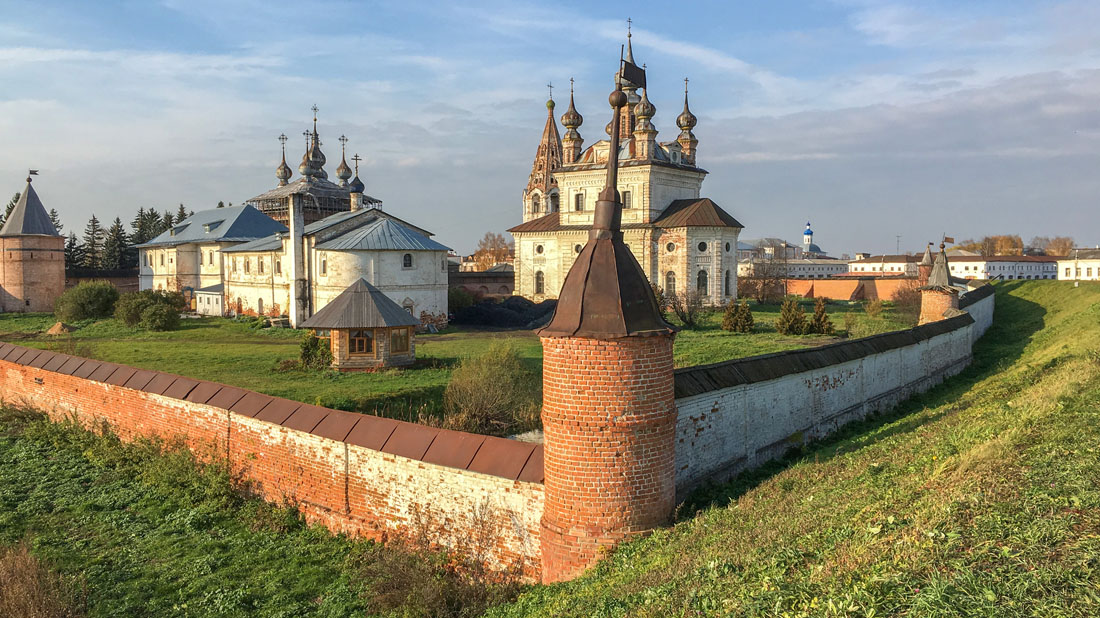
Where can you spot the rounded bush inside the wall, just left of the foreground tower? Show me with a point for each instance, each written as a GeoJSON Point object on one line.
{"type": "Point", "coordinates": [494, 394]}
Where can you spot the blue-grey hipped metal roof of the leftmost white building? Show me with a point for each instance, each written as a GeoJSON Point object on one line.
{"type": "Point", "coordinates": [238, 224]}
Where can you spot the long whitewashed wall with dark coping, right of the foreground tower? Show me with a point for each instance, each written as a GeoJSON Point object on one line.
{"type": "Point", "coordinates": [741, 414]}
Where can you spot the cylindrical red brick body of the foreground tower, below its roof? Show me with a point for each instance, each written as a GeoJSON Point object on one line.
{"type": "Point", "coordinates": [610, 421]}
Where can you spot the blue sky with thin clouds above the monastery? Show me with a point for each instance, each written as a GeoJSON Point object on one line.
{"type": "Point", "coordinates": [872, 119]}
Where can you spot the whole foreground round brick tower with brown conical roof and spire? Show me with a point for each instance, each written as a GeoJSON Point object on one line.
{"type": "Point", "coordinates": [609, 412]}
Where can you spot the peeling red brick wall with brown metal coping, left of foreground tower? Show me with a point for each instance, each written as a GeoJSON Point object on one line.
{"type": "Point", "coordinates": [355, 473]}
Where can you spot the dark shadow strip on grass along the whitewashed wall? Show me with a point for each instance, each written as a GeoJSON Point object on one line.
{"type": "Point", "coordinates": [1016, 322]}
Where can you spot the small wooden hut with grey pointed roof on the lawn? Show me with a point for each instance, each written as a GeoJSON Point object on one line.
{"type": "Point", "coordinates": [366, 329]}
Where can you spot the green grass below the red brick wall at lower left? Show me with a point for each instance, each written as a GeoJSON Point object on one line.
{"type": "Point", "coordinates": [148, 532]}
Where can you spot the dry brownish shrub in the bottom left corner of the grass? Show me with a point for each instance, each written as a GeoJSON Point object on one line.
{"type": "Point", "coordinates": [30, 589]}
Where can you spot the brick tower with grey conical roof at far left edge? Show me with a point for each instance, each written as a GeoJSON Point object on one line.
{"type": "Point", "coordinates": [32, 257]}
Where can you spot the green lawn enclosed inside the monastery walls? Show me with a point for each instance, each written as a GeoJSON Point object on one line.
{"type": "Point", "coordinates": [230, 352]}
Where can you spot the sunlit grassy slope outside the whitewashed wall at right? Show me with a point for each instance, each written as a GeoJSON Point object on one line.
{"type": "Point", "coordinates": [981, 499]}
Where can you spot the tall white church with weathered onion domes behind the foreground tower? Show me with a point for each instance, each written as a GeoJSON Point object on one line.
{"type": "Point", "coordinates": [685, 242]}
